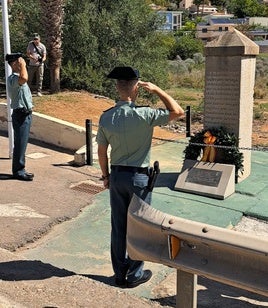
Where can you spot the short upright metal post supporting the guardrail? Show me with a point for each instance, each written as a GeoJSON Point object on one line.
{"type": "Point", "coordinates": [186, 290]}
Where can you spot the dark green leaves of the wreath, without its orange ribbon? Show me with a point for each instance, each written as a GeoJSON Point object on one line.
{"type": "Point", "coordinates": [231, 155]}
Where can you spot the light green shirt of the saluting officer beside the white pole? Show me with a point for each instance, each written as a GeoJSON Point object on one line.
{"type": "Point", "coordinates": [20, 95]}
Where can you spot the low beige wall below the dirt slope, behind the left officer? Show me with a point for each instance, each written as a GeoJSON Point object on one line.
{"type": "Point", "coordinates": [51, 130]}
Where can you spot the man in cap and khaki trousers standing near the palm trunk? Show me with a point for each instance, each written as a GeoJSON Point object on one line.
{"type": "Point", "coordinates": [37, 53]}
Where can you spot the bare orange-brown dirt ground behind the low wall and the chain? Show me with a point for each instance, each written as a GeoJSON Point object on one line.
{"type": "Point", "coordinates": [76, 107]}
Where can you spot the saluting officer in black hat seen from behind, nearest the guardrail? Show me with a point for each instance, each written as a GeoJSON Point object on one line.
{"type": "Point", "coordinates": [128, 129]}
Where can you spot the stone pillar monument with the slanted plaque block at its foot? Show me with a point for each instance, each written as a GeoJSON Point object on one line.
{"type": "Point", "coordinates": [229, 88]}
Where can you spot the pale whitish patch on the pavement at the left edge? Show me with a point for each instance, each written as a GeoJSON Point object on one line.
{"type": "Point", "coordinates": [18, 210]}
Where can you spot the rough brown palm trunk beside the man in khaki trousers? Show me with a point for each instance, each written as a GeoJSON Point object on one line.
{"type": "Point", "coordinates": [52, 21]}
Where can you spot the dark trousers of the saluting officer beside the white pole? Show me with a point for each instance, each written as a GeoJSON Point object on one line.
{"type": "Point", "coordinates": [21, 121]}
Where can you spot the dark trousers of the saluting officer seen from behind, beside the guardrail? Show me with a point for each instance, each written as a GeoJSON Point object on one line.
{"type": "Point", "coordinates": [124, 181]}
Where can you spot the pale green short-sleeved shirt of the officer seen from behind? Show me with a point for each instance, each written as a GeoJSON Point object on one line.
{"type": "Point", "coordinates": [129, 130]}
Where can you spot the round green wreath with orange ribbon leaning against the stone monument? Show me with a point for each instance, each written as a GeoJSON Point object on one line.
{"type": "Point", "coordinates": [204, 139]}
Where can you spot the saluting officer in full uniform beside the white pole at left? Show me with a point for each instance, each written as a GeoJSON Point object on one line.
{"type": "Point", "coordinates": [21, 103]}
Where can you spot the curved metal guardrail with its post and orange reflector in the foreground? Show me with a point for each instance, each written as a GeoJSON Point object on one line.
{"type": "Point", "coordinates": [195, 248]}
